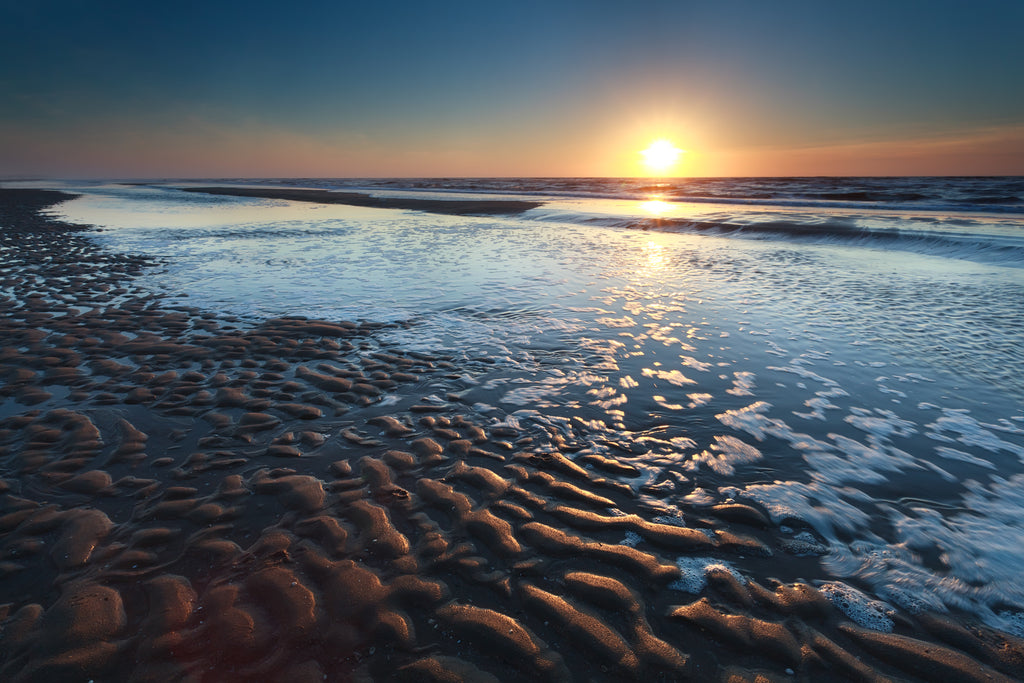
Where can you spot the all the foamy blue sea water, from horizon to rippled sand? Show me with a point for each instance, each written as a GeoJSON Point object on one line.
{"type": "Point", "coordinates": [844, 353]}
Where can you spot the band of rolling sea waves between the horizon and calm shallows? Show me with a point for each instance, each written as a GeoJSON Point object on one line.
{"type": "Point", "coordinates": [889, 214]}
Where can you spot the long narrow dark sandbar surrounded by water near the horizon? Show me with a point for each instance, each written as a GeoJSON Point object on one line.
{"type": "Point", "coordinates": [452, 207]}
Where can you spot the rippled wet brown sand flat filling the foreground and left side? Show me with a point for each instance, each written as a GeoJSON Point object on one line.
{"type": "Point", "coordinates": [187, 497]}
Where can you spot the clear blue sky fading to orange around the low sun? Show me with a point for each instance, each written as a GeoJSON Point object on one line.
{"type": "Point", "coordinates": [119, 90]}
